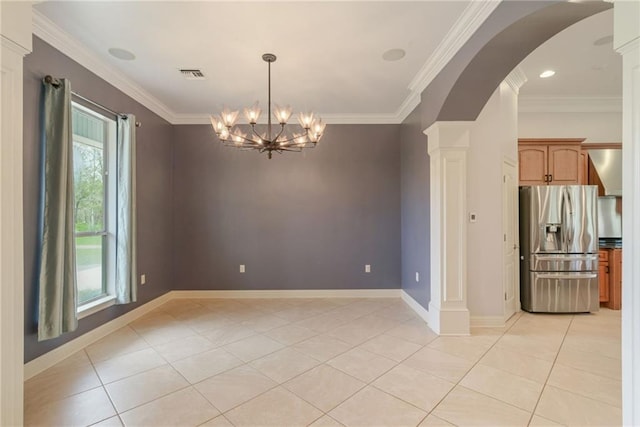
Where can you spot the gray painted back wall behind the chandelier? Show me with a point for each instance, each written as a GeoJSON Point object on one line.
{"type": "Point", "coordinates": [308, 220]}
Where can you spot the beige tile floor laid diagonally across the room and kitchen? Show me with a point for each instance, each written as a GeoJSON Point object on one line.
{"type": "Point", "coordinates": [333, 362]}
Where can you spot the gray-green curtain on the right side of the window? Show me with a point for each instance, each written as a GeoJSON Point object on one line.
{"type": "Point", "coordinates": [126, 251]}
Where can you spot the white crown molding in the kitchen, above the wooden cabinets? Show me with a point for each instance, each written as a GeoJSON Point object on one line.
{"type": "Point", "coordinates": [569, 105]}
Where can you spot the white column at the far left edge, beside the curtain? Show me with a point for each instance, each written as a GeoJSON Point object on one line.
{"type": "Point", "coordinates": [16, 42]}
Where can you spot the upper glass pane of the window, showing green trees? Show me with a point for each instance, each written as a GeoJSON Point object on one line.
{"type": "Point", "coordinates": [88, 176]}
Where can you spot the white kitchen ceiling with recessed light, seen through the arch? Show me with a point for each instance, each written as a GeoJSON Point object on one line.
{"type": "Point", "coordinates": [583, 70]}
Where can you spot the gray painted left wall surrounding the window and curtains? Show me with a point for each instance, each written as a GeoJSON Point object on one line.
{"type": "Point", "coordinates": [154, 151]}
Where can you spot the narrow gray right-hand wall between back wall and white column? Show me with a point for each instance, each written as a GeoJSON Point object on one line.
{"type": "Point", "coordinates": [416, 212]}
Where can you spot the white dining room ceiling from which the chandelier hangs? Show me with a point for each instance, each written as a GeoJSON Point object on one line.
{"type": "Point", "coordinates": [329, 53]}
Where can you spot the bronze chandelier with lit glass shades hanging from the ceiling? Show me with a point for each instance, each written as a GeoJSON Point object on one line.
{"type": "Point", "coordinates": [275, 137]}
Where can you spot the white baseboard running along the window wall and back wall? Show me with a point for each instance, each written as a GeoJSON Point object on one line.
{"type": "Point", "coordinates": [58, 354]}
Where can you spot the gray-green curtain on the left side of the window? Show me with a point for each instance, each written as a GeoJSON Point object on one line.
{"type": "Point", "coordinates": [57, 279]}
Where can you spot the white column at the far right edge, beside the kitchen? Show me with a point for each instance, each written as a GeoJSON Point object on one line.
{"type": "Point", "coordinates": [627, 43]}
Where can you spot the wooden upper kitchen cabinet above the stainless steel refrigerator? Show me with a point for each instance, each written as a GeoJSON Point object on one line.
{"type": "Point", "coordinates": [551, 161]}
